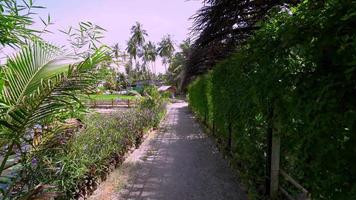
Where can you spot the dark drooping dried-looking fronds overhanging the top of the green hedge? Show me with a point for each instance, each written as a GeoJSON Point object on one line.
{"type": "Point", "coordinates": [220, 26]}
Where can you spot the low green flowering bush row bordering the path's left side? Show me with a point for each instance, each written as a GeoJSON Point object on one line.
{"type": "Point", "coordinates": [75, 163]}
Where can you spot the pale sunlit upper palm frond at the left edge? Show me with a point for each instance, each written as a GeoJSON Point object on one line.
{"type": "Point", "coordinates": [24, 72]}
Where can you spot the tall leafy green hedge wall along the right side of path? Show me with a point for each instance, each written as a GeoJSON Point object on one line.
{"type": "Point", "coordinates": [297, 71]}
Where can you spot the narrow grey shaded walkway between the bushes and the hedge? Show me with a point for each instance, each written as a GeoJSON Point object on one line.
{"type": "Point", "coordinates": [177, 163]}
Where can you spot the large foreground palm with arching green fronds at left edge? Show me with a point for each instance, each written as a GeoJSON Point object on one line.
{"type": "Point", "coordinates": [35, 84]}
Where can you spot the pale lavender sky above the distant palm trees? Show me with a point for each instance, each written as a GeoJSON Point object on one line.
{"type": "Point", "coordinates": [159, 17]}
